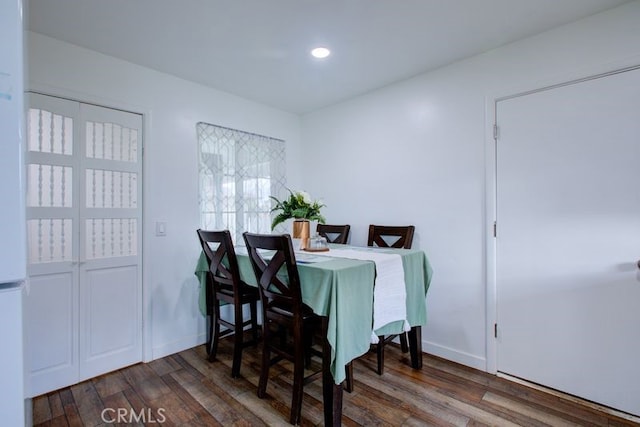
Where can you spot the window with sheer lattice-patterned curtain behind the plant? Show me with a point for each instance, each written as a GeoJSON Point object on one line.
{"type": "Point", "coordinates": [238, 171]}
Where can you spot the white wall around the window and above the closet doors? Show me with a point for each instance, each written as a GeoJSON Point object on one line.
{"type": "Point", "coordinates": [172, 107]}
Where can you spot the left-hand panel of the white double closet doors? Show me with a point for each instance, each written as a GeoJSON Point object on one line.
{"type": "Point", "coordinates": [51, 301]}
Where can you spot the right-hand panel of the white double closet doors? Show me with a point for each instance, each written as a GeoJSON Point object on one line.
{"type": "Point", "coordinates": [110, 240]}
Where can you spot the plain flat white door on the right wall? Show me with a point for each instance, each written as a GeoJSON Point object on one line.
{"type": "Point", "coordinates": [568, 239]}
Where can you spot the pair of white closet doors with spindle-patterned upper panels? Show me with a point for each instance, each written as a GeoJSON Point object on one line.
{"type": "Point", "coordinates": [83, 311]}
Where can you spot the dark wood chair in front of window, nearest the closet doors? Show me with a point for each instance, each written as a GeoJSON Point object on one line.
{"type": "Point", "coordinates": [224, 286]}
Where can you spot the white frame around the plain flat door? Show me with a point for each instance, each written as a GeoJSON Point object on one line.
{"type": "Point", "coordinates": [491, 181]}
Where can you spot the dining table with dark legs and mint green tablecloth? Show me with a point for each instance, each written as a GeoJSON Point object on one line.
{"type": "Point", "coordinates": [340, 289]}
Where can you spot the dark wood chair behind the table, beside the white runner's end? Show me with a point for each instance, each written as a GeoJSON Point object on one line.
{"type": "Point", "coordinates": [386, 236]}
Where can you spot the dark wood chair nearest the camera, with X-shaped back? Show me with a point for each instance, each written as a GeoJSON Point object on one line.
{"type": "Point", "coordinates": [283, 311]}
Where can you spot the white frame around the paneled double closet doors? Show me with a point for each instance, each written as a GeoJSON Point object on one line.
{"type": "Point", "coordinates": [146, 114]}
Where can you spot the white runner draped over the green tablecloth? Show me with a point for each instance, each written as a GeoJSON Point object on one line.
{"type": "Point", "coordinates": [389, 295]}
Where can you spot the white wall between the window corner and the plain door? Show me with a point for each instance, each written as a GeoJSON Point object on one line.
{"type": "Point", "coordinates": [416, 152]}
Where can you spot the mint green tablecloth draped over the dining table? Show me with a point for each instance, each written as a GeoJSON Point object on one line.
{"type": "Point", "coordinates": [342, 290]}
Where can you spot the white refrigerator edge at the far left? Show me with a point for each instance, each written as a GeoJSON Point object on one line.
{"type": "Point", "coordinates": [12, 214]}
